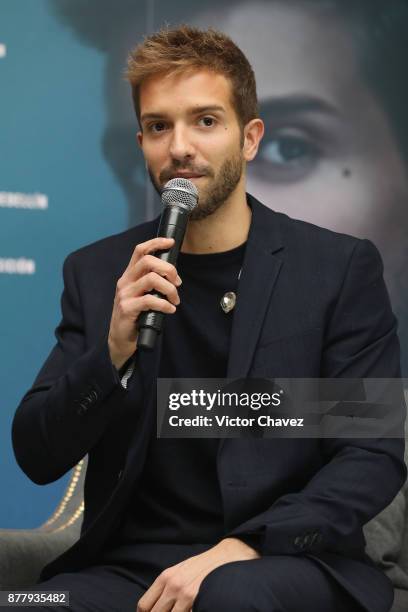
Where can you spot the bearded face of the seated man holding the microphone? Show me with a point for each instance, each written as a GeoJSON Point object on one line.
{"type": "Point", "coordinates": [190, 130]}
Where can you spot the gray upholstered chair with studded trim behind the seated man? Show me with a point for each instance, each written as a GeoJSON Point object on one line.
{"type": "Point", "coordinates": [24, 552]}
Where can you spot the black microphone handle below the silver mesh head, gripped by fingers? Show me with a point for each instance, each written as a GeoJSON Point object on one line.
{"type": "Point", "coordinates": [173, 223]}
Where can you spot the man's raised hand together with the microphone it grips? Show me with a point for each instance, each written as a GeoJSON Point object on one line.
{"type": "Point", "coordinates": [148, 288]}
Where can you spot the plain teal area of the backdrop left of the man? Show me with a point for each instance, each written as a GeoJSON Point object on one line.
{"type": "Point", "coordinates": [54, 125]}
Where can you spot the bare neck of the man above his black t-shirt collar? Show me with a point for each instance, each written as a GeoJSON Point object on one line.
{"type": "Point", "coordinates": [224, 230]}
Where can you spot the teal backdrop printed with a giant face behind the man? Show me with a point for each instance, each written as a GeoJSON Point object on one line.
{"type": "Point", "coordinates": [71, 173]}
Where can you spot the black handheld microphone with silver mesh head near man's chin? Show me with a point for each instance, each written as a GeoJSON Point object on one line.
{"type": "Point", "coordinates": [179, 197]}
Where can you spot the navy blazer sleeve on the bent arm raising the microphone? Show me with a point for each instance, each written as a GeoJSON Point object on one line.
{"type": "Point", "coordinates": [72, 400]}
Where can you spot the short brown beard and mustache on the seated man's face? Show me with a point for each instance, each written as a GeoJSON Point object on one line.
{"type": "Point", "coordinates": [212, 197]}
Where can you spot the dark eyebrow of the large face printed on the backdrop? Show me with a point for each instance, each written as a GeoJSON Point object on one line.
{"type": "Point", "coordinates": [296, 104]}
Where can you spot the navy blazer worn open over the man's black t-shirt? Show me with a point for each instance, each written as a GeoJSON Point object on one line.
{"type": "Point", "coordinates": [312, 303]}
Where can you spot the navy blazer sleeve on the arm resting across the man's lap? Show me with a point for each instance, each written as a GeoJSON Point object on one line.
{"type": "Point", "coordinates": [360, 477]}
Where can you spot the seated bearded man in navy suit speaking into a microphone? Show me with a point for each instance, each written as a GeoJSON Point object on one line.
{"type": "Point", "coordinates": [199, 524]}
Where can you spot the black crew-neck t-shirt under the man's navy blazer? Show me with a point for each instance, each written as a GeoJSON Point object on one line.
{"type": "Point", "coordinates": [178, 499]}
